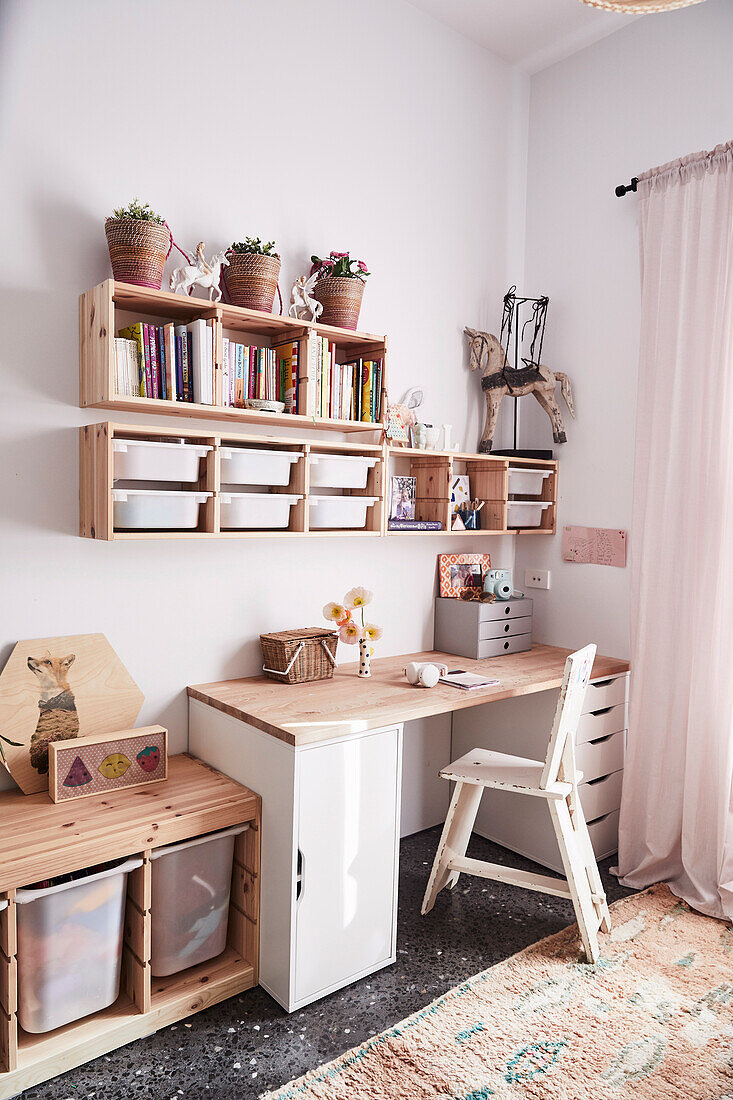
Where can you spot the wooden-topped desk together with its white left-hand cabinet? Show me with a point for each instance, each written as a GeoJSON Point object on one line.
{"type": "Point", "coordinates": [327, 760]}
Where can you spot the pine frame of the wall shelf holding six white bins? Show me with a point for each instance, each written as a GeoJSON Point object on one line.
{"type": "Point", "coordinates": [97, 481]}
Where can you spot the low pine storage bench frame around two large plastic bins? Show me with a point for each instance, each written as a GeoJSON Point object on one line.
{"type": "Point", "coordinates": [40, 840]}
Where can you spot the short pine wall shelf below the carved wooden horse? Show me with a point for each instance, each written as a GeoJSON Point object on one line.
{"type": "Point", "coordinates": [490, 480]}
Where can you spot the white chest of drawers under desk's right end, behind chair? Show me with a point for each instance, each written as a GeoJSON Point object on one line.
{"type": "Point", "coordinates": [521, 727]}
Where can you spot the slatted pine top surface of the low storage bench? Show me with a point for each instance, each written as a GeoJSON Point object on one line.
{"type": "Point", "coordinates": [41, 840]}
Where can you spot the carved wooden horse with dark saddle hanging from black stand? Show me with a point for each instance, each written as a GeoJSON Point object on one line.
{"type": "Point", "coordinates": [499, 380]}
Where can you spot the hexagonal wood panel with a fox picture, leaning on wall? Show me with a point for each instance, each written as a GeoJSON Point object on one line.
{"type": "Point", "coordinates": [56, 689]}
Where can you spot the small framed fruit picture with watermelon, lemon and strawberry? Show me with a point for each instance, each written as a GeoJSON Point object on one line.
{"type": "Point", "coordinates": [107, 763]}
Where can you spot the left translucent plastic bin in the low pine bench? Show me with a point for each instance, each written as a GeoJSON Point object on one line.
{"type": "Point", "coordinates": [70, 949]}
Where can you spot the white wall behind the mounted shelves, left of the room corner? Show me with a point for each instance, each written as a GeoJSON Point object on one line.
{"type": "Point", "coordinates": [335, 125]}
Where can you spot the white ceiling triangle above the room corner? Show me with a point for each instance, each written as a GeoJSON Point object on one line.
{"type": "Point", "coordinates": [531, 34]}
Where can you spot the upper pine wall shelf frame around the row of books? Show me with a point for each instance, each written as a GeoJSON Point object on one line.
{"type": "Point", "coordinates": [111, 306]}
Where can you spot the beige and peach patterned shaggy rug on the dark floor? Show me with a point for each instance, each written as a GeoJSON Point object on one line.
{"type": "Point", "coordinates": [652, 1020]}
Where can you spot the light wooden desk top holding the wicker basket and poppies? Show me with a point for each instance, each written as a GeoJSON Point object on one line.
{"type": "Point", "coordinates": [304, 714]}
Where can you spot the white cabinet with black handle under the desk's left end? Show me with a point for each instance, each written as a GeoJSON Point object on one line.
{"type": "Point", "coordinates": [331, 829]}
